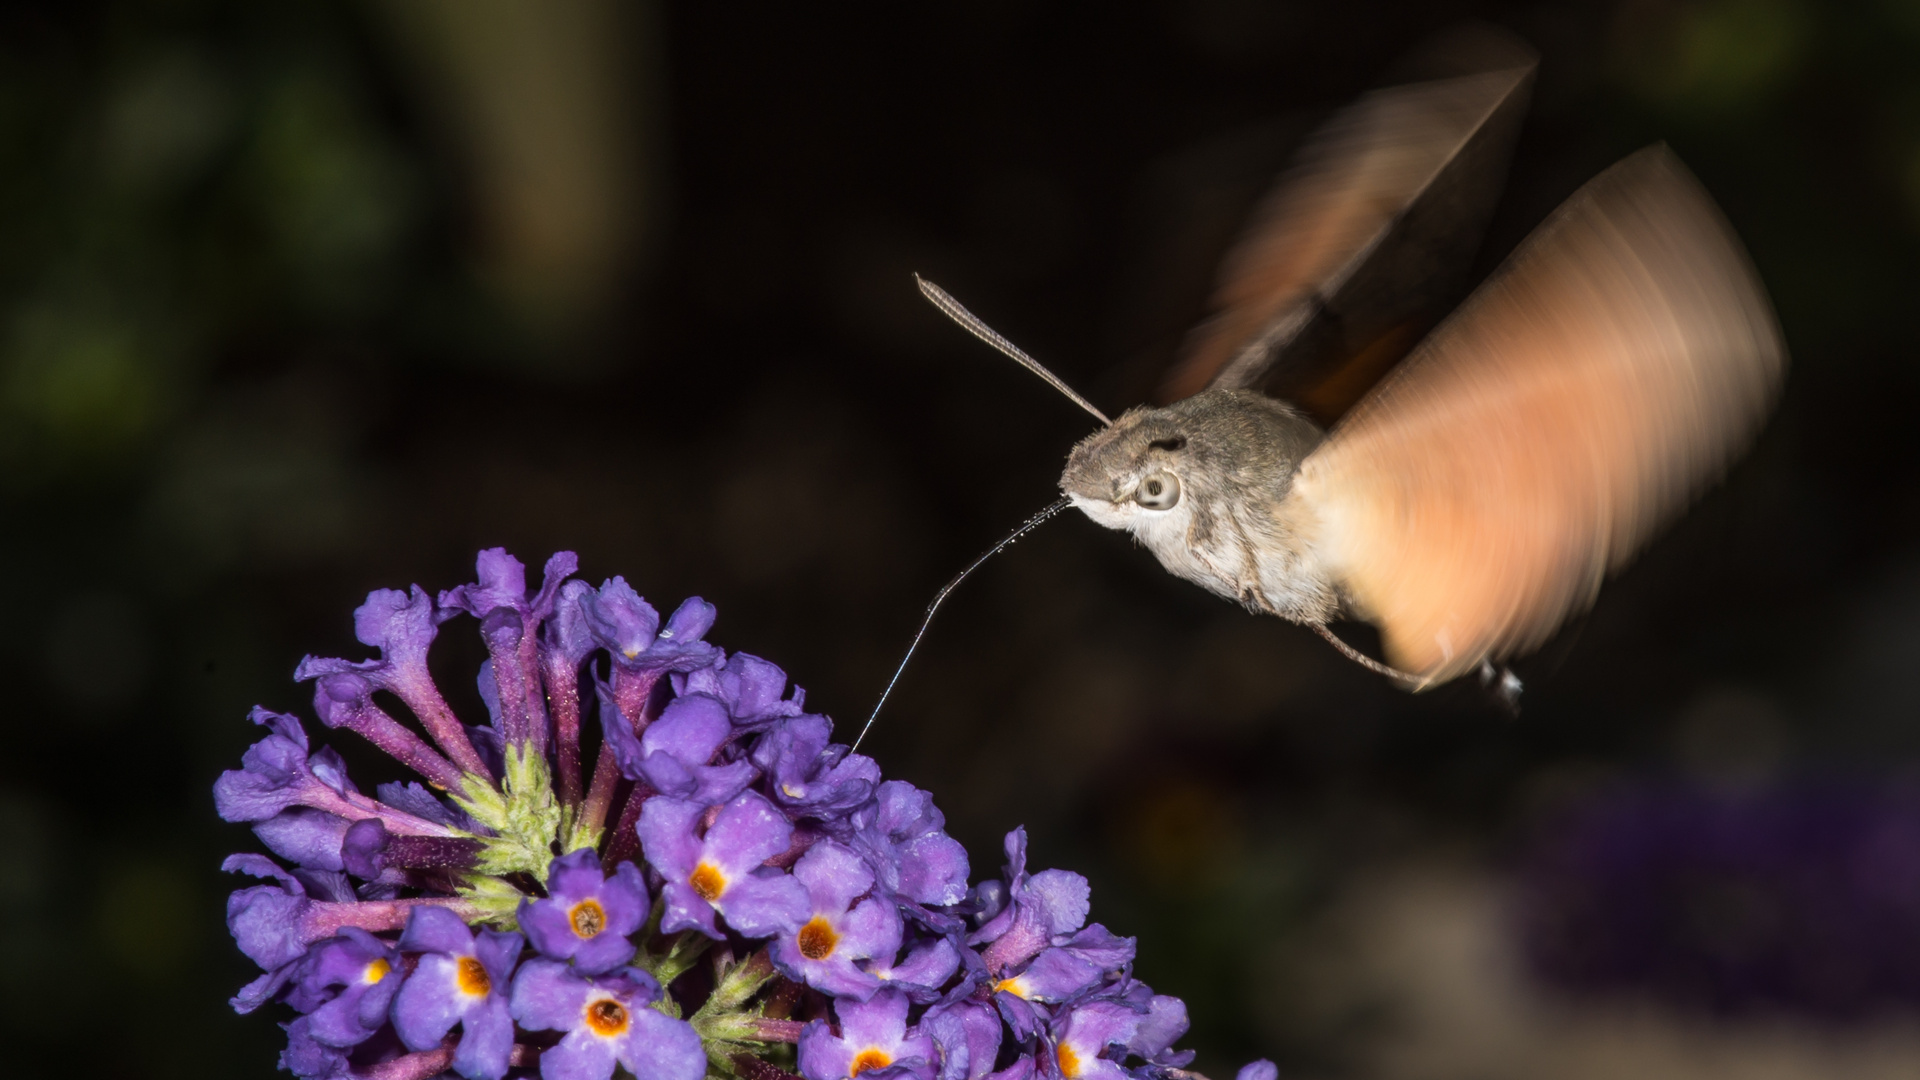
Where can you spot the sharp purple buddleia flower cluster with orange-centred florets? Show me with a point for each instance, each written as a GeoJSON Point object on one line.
{"type": "Point", "coordinates": [723, 893]}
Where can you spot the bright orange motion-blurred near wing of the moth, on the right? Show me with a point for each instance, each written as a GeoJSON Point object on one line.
{"type": "Point", "coordinates": [1610, 370]}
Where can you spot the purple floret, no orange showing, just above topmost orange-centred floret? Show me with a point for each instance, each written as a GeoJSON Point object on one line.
{"type": "Point", "coordinates": [677, 750]}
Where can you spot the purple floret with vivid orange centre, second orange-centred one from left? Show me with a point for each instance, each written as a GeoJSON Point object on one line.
{"type": "Point", "coordinates": [462, 979]}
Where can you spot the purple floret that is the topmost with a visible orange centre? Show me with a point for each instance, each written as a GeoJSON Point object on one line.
{"type": "Point", "coordinates": [723, 871]}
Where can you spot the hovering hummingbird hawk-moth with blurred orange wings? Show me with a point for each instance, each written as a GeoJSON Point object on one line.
{"type": "Point", "coordinates": [1477, 495]}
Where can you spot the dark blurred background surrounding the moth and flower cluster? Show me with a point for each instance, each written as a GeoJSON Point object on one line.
{"type": "Point", "coordinates": [300, 301]}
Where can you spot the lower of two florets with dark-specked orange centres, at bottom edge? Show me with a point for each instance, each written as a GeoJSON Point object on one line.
{"type": "Point", "coordinates": [606, 1019]}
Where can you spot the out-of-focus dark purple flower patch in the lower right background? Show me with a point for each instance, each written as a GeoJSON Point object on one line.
{"type": "Point", "coordinates": [1800, 895]}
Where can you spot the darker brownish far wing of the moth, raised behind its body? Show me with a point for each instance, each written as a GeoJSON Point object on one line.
{"type": "Point", "coordinates": [1372, 228]}
